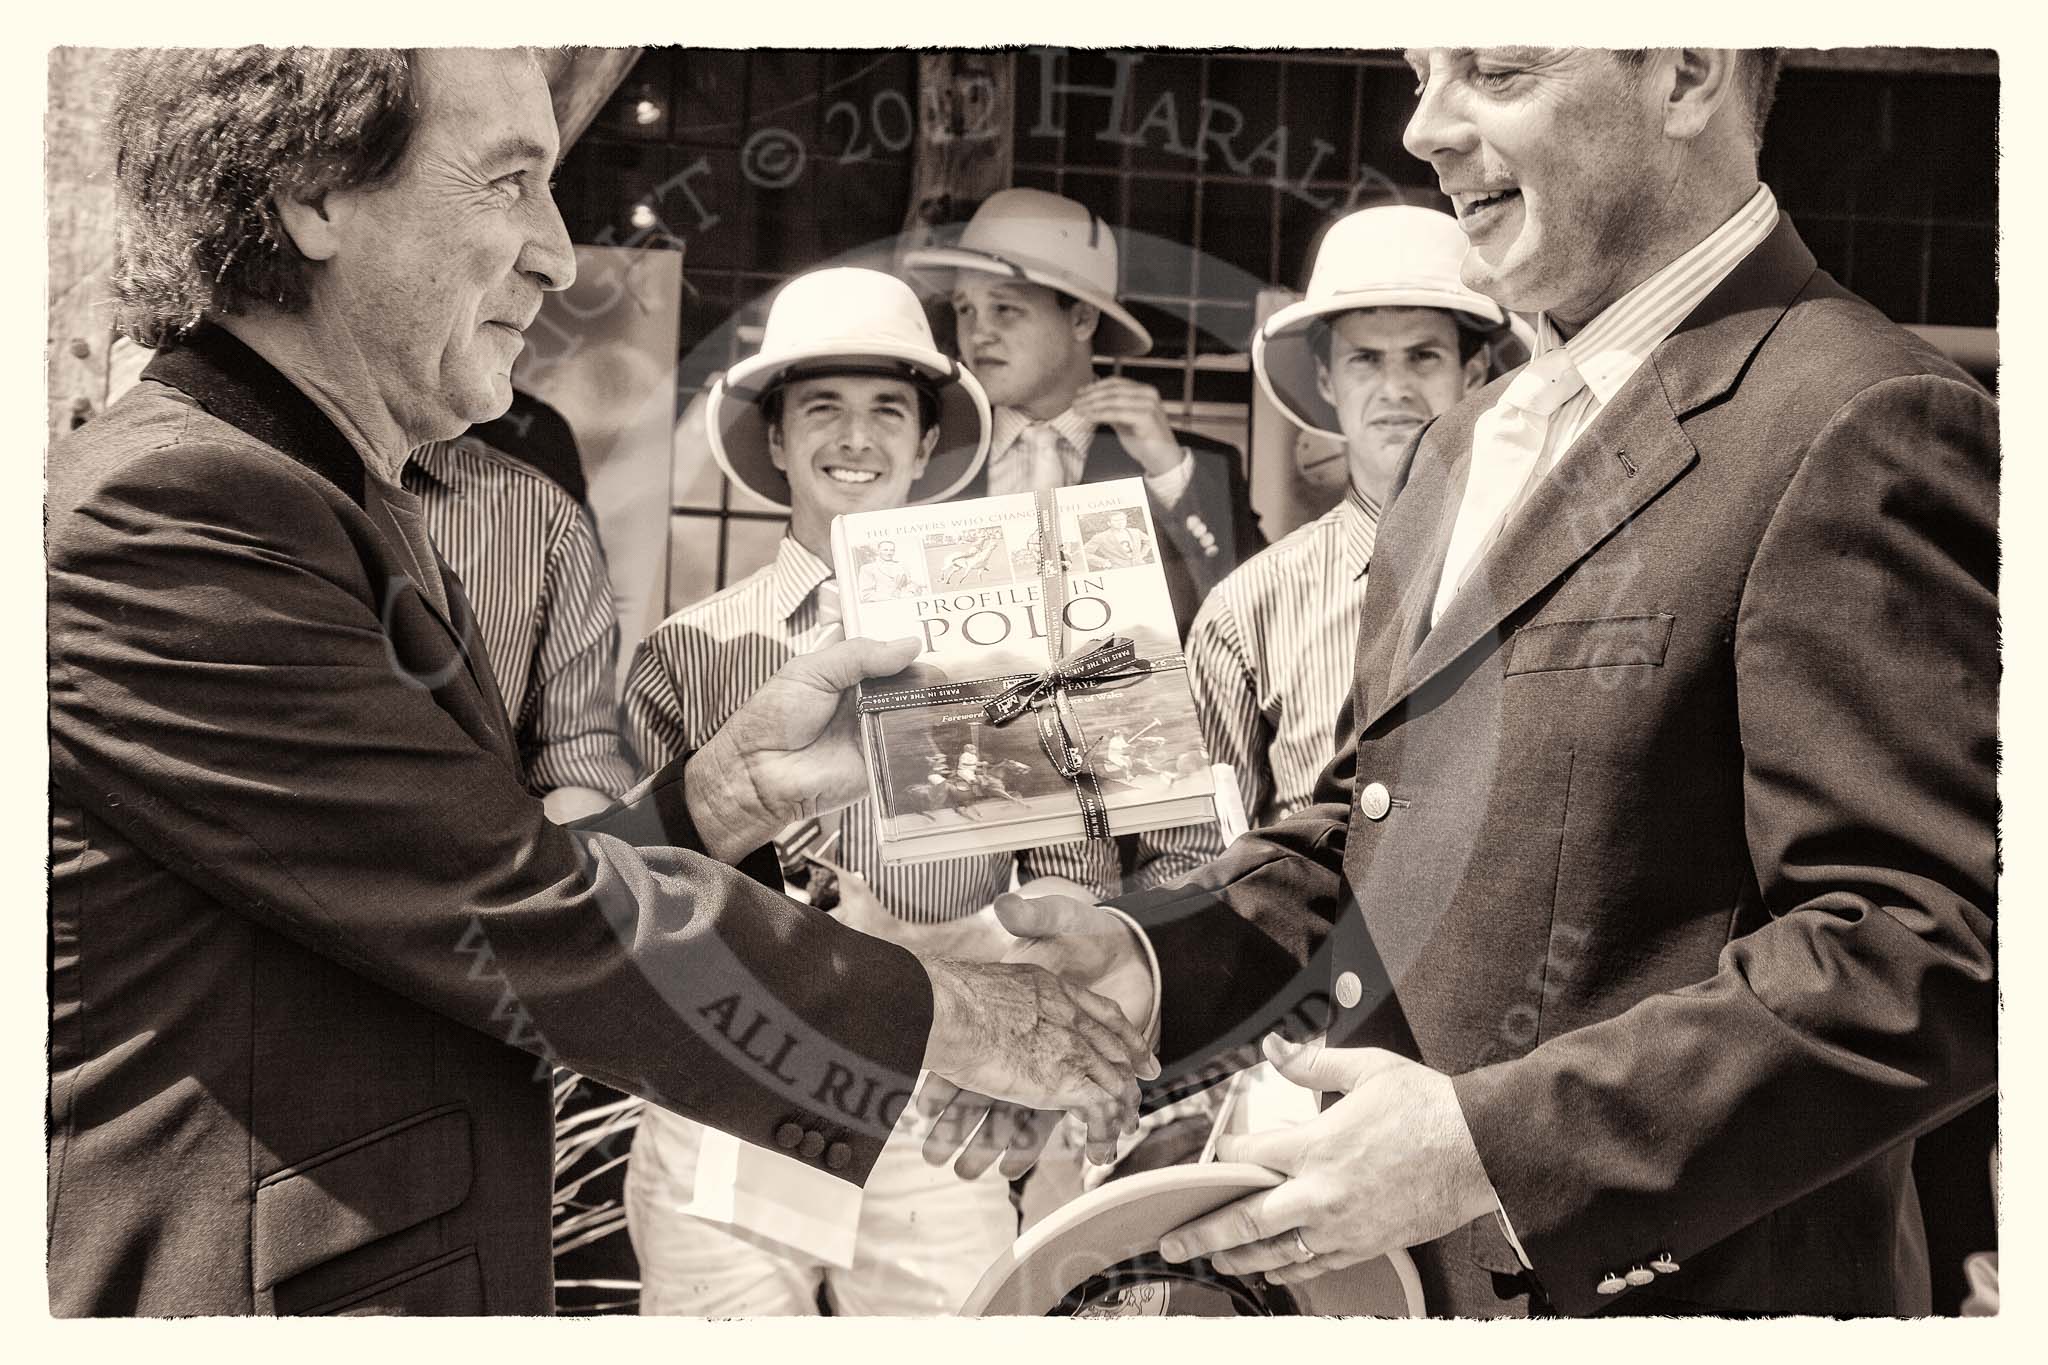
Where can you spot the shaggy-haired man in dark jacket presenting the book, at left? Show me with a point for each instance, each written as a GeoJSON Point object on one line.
{"type": "Point", "coordinates": [312, 946]}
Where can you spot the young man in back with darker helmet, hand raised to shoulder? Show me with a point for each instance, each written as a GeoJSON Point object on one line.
{"type": "Point", "coordinates": [1033, 288]}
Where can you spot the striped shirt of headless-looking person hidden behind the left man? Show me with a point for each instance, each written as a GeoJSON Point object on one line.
{"type": "Point", "coordinates": [531, 568]}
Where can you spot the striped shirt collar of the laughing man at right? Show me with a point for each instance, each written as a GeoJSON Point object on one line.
{"type": "Point", "coordinates": [1611, 349]}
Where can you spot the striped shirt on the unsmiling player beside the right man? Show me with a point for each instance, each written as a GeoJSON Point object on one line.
{"type": "Point", "coordinates": [1271, 664]}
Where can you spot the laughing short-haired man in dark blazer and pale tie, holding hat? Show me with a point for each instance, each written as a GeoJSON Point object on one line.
{"type": "Point", "coordinates": [1650, 899]}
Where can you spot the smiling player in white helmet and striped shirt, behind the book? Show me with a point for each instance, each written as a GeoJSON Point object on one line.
{"type": "Point", "coordinates": [847, 408]}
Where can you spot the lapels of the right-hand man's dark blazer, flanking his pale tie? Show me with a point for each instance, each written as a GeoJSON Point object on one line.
{"type": "Point", "coordinates": [1633, 453]}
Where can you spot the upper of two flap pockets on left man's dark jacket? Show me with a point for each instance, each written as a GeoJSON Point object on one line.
{"type": "Point", "coordinates": [359, 1192]}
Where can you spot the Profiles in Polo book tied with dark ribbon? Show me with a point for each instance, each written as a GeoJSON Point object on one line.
{"type": "Point", "coordinates": [972, 582]}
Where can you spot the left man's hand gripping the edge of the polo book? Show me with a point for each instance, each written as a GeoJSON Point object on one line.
{"type": "Point", "coordinates": [794, 750]}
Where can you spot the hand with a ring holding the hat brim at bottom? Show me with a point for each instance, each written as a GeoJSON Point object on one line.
{"type": "Point", "coordinates": [1385, 1168]}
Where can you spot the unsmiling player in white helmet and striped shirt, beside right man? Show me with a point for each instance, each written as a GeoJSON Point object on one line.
{"type": "Point", "coordinates": [1385, 339]}
